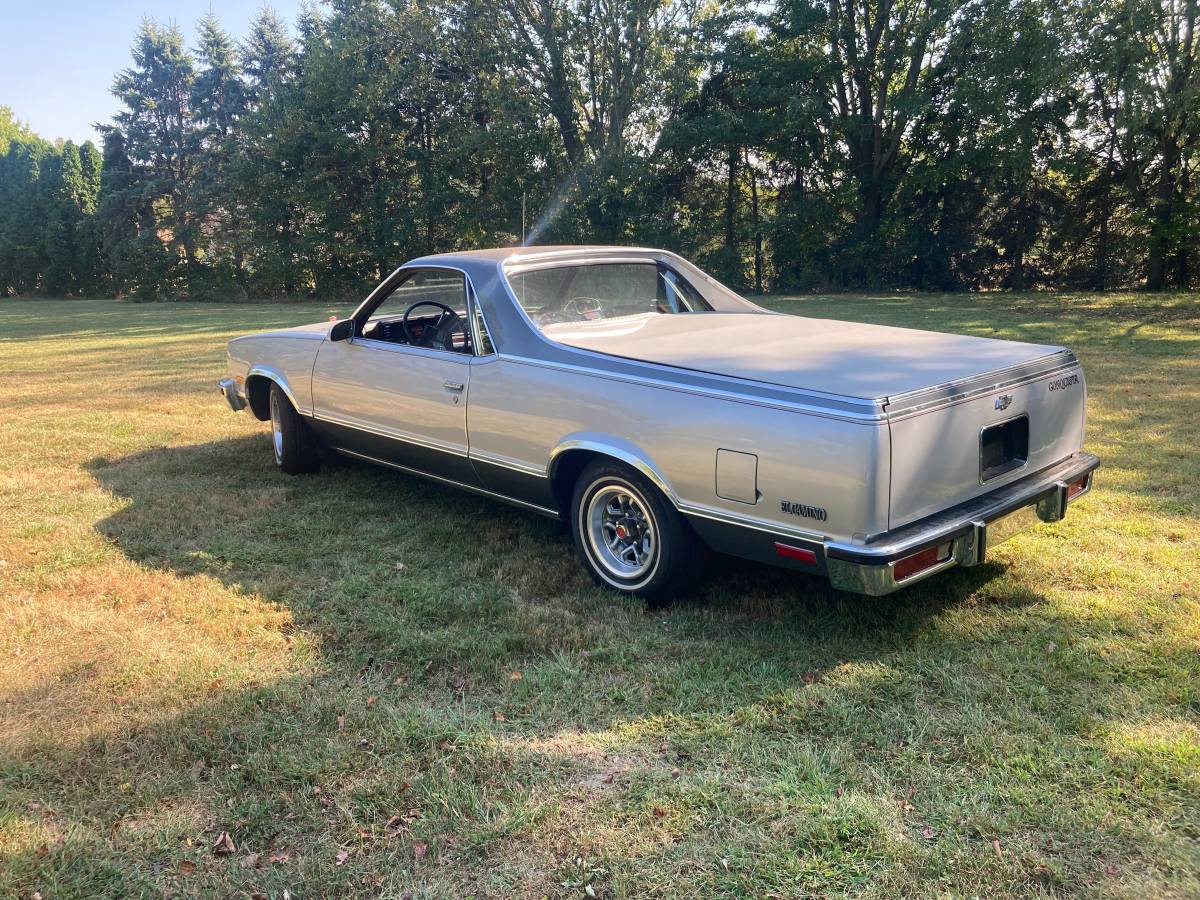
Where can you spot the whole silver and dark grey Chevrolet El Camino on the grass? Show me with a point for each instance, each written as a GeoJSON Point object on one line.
{"type": "Point", "coordinates": [656, 411]}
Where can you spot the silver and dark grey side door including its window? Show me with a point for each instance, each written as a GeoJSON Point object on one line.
{"type": "Point", "coordinates": [397, 392]}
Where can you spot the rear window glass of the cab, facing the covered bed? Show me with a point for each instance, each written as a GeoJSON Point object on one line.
{"type": "Point", "coordinates": [602, 292]}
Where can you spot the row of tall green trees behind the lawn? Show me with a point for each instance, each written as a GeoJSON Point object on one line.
{"type": "Point", "coordinates": [826, 145]}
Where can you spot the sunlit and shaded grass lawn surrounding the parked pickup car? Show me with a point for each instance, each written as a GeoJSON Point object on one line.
{"type": "Point", "coordinates": [377, 686]}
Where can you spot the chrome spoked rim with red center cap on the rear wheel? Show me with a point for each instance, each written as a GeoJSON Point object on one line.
{"type": "Point", "coordinates": [621, 532]}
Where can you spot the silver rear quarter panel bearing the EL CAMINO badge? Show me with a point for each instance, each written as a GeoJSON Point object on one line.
{"type": "Point", "coordinates": [520, 412]}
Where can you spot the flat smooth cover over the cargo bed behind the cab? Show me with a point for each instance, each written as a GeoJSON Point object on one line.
{"type": "Point", "coordinates": [844, 358]}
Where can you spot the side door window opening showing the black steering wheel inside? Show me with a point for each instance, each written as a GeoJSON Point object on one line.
{"type": "Point", "coordinates": [427, 310]}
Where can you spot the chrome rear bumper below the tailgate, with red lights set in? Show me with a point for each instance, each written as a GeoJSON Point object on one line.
{"type": "Point", "coordinates": [970, 530]}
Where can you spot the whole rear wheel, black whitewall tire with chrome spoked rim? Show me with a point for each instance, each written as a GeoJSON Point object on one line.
{"type": "Point", "coordinates": [629, 536]}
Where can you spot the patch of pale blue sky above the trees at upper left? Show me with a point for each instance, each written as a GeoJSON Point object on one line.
{"type": "Point", "coordinates": [58, 59]}
